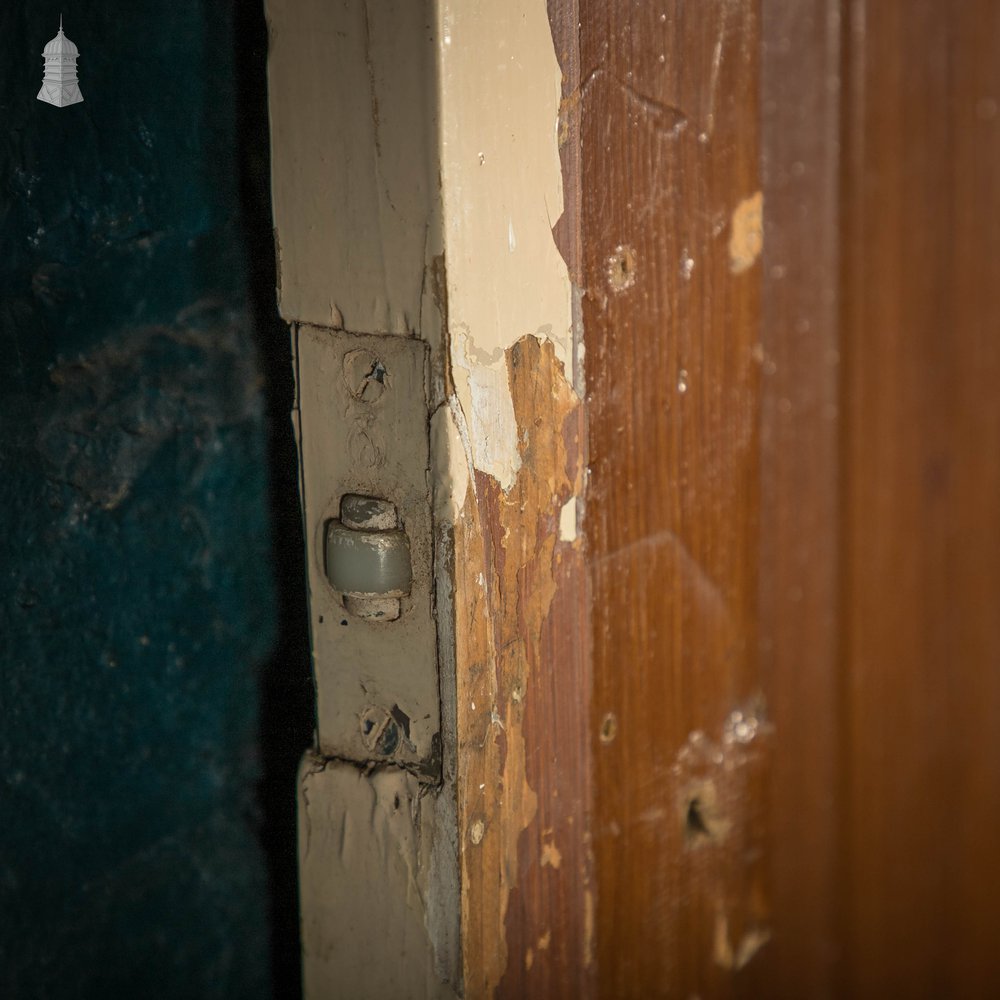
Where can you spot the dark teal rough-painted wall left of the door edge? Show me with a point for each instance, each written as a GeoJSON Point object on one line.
{"type": "Point", "coordinates": [137, 596]}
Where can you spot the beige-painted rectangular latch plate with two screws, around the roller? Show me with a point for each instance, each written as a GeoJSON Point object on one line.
{"type": "Point", "coordinates": [363, 429]}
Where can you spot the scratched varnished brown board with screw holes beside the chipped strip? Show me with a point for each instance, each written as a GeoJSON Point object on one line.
{"type": "Point", "coordinates": [671, 237]}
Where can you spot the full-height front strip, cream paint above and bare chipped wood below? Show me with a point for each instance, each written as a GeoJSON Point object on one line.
{"type": "Point", "coordinates": [523, 768]}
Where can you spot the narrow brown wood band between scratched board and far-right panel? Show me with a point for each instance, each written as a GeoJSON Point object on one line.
{"type": "Point", "coordinates": [800, 553]}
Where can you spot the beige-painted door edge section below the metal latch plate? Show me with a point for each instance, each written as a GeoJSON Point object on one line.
{"type": "Point", "coordinates": [367, 847]}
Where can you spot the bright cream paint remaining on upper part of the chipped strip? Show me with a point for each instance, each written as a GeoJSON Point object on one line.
{"type": "Point", "coordinates": [502, 192]}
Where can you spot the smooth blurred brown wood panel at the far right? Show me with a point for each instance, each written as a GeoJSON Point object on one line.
{"type": "Point", "coordinates": [922, 531]}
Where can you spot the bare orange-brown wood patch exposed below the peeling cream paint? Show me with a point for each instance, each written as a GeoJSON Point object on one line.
{"type": "Point", "coordinates": [499, 639]}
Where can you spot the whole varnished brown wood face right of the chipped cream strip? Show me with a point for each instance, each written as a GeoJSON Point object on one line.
{"type": "Point", "coordinates": [844, 562]}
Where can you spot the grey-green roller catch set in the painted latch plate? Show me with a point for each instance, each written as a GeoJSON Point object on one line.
{"type": "Point", "coordinates": [368, 557]}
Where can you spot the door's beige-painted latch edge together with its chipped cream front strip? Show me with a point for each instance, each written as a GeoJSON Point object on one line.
{"type": "Point", "coordinates": [416, 181]}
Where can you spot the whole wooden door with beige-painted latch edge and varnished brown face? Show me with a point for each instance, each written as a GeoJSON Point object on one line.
{"type": "Point", "coordinates": [704, 297]}
